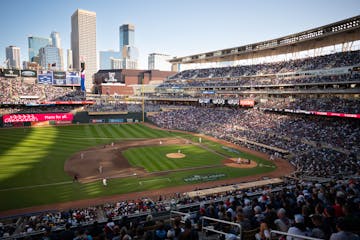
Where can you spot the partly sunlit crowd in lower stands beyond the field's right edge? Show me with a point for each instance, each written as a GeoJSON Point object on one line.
{"type": "Point", "coordinates": [328, 146]}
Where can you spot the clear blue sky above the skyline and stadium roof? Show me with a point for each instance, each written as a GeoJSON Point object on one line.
{"type": "Point", "coordinates": [178, 28]}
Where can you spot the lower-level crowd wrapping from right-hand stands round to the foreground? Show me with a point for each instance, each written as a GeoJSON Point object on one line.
{"type": "Point", "coordinates": [318, 147]}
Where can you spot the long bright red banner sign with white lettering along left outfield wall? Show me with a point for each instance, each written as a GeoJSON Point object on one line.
{"type": "Point", "coordinates": [37, 117]}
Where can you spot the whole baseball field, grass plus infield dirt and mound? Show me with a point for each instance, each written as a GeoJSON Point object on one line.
{"type": "Point", "coordinates": [37, 165]}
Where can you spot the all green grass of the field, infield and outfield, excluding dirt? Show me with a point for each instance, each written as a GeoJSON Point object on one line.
{"type": "Point", "coordinates": [32, 163]}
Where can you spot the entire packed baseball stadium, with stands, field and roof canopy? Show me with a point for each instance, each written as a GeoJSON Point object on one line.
{"type": "Point", "coordinates": [244, 151]}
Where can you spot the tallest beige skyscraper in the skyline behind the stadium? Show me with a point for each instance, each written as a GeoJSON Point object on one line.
{"type": "Point", "coordinates": [83, 43]}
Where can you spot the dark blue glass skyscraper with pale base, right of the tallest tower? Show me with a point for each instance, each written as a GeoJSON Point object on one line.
{"type": "Point", "coordinates": [129, 52]}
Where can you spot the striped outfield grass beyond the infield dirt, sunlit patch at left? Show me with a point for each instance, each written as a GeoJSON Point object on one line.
{"type": "Point", "coordinates": [36, 156]}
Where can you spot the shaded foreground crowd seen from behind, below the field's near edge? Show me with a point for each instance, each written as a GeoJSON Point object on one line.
{"type": "Point", "coordinates": [326, 210]}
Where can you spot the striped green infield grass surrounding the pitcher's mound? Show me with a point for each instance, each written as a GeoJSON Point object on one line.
{"type": "Point", "coordinates": [153, 159]}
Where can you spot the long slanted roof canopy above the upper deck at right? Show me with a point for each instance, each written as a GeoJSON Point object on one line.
{"type": "Point", "coordinates": [340, 32]}
